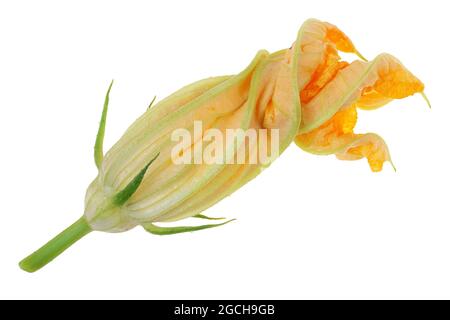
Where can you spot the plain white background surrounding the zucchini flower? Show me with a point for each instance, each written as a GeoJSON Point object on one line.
{"type": "Point", "coordinates": [308, 227]}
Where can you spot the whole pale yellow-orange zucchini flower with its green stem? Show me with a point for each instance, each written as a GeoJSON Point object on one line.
{"type": "Point", "coordinates": [306, 94]}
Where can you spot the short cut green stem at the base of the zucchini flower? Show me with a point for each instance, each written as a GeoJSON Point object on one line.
{"type": "Point", "coordinates": [56, 246]}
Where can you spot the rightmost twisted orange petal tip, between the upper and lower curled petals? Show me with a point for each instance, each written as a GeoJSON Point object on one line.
{"type": "Point", "coordinates": [386, 75]}
